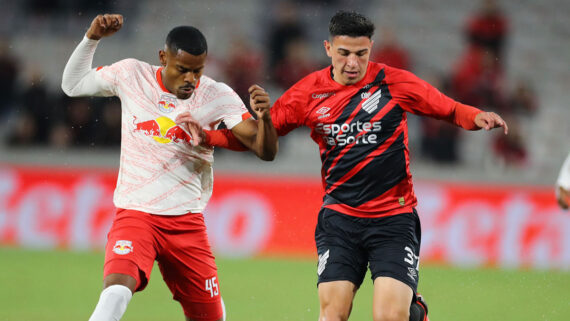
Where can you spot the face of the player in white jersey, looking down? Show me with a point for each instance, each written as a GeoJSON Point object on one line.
{"type": "Point", "coordinates": [181, 71]}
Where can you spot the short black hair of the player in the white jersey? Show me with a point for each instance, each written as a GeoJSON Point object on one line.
{"type": "Point", "coordinates": [187, 38]}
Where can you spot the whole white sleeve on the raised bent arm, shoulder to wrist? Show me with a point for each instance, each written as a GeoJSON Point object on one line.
{"type": "Point", "coordinates": [81, 79]}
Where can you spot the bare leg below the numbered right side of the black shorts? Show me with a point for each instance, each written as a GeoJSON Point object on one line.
{"type": "Point", "coordinates": [392, 299]}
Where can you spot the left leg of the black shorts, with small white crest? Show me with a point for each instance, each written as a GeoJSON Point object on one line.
{"type": "Point", "coordinates": [341, 258]}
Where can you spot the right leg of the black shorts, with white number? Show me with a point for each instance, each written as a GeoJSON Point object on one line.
{"type": "Point", "coordinates": [393, 246]}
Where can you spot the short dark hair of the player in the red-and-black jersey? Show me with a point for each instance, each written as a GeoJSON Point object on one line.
{"type": "Point", "coordinates": [352, 24]}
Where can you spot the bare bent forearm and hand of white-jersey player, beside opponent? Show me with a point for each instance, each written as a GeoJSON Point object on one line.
{"type": "Point", "coordinates": [258, 135]}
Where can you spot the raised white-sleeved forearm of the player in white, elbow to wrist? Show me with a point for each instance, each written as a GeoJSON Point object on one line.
{"type": "Point", "coordinates": [75, 80]}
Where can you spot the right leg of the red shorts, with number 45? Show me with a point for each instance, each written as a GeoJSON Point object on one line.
{"type": "Point", "coordinates": [189, 270]}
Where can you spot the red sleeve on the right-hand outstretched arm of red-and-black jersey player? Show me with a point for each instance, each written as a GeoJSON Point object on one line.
{"type": "Point", "coordinates": [419, 97]}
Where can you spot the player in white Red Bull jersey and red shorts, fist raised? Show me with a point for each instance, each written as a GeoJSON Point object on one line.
{"type": "Point", "coordinates": [165, 175]}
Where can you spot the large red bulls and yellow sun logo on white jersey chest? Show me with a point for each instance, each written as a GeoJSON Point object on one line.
{"type": "Point", "coordinates": [163, 130]}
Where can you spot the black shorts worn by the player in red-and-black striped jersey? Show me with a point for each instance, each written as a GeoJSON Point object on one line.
{"type": "Point", "coordinates": [347, 245]}
